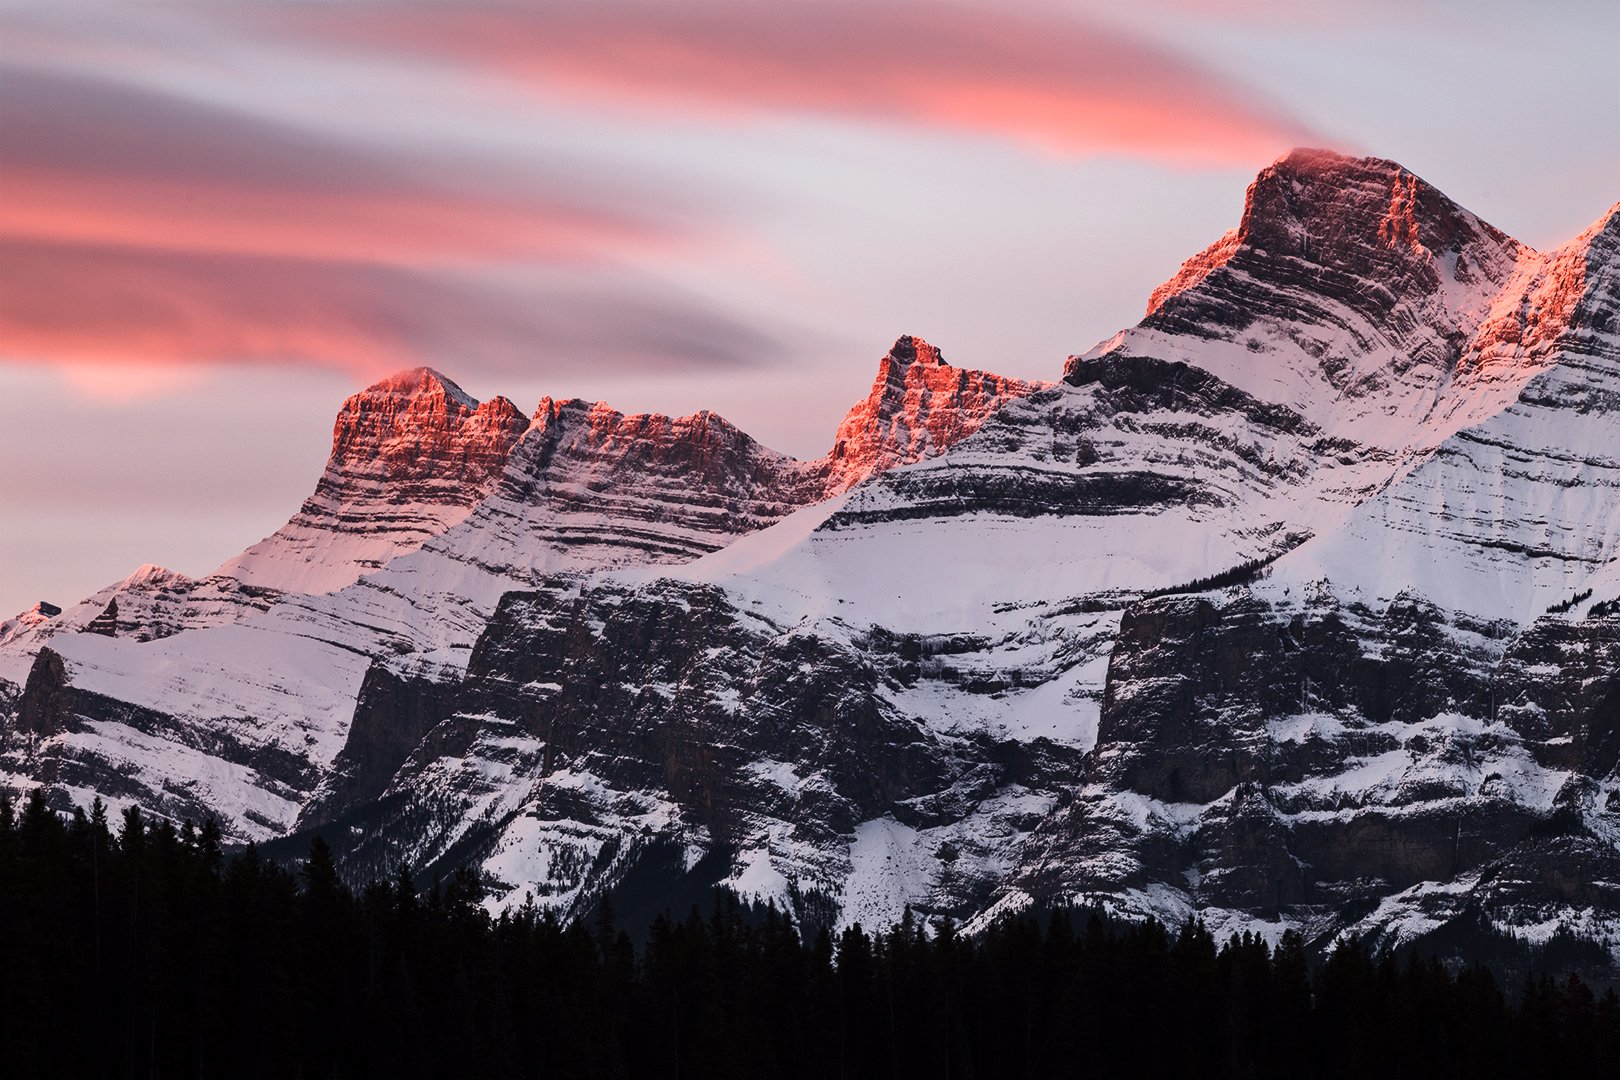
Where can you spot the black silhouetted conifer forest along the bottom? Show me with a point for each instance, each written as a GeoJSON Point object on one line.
{"type": "Point", "coordinates": [143, 951]}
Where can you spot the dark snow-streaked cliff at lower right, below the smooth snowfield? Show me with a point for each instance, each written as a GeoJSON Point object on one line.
{"type": "Point", "coordinates": [1302, 760]}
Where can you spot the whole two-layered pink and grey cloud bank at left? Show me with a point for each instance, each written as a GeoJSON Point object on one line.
{"type": "Point", "coordinates": [145, 229]}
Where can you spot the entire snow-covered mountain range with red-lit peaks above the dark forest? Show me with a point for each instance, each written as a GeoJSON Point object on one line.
{"type": "Point", "coordinates": [1290, 605]}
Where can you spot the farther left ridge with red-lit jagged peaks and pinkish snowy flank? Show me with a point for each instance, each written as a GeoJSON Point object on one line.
{"type": "Point", "coordinates": [234, 694]}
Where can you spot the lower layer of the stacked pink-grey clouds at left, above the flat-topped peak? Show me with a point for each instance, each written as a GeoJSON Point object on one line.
{"type": "Point", "coordinates": [80, 305]}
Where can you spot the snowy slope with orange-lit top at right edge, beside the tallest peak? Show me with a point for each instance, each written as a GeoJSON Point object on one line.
{"type": "Point", "coordinates": [1522, 509]}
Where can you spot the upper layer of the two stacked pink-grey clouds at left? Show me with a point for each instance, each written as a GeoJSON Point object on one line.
{"type": "Point", "coordinates": [95, 163]}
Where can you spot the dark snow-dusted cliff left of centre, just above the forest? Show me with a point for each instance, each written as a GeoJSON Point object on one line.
{"type": "Point", "coordinates": [597, 725]}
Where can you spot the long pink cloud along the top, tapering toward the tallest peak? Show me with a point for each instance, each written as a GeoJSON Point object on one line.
{"type": "Point", "coordinates": [1055, 82]}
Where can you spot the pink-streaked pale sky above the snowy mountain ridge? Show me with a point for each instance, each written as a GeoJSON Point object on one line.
{"type": "Point", "coordinates": [218, 219]}
